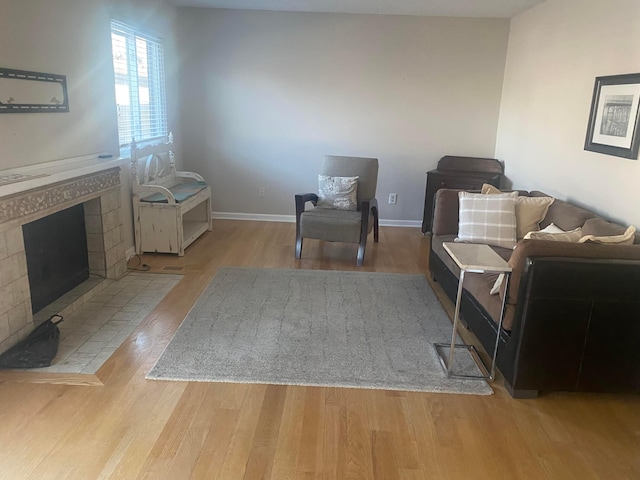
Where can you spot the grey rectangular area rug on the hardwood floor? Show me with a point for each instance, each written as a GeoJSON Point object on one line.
{"type": "Point", "coordinates": [315, 327]}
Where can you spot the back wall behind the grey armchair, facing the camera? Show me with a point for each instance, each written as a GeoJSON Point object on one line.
{"type": "Point", "coordinates": [266, 94]}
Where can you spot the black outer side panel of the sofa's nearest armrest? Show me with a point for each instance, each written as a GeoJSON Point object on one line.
{"type": "Point", "coordinates": [576, 326]}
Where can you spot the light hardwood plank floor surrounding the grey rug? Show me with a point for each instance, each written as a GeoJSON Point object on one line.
{"type": "Point", "coordinates": [120, 425]}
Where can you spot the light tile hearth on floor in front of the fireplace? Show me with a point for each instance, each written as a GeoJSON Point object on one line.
{"type": "Point", "coordinates": [99, 315]}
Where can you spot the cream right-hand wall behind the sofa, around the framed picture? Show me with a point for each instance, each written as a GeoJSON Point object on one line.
{"type": "Point", "coordinates": [555, 52]}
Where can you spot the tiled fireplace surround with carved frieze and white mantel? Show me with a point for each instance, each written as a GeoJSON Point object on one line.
{"type": "Point", "coordinates": [33, 192]}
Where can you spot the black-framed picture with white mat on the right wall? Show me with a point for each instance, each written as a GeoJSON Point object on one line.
{"type": "Point", "coordinates": [614, 121]}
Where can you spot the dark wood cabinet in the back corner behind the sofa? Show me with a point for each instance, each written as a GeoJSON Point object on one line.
{"type": "Point", "coordinates": [465, 173]}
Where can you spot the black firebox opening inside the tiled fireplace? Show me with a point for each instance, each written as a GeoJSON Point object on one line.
{"type": "Point", "coordinates": [57, 259]}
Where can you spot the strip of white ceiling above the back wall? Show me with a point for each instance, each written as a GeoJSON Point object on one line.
{"type": "Point", "coordinates": [438, 8]}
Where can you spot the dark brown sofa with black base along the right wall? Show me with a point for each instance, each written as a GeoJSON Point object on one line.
{"type": "Point", "coordinates": [572, 320]}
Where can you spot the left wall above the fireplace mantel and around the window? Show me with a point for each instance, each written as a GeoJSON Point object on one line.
{"type": "Point", "coordinates": [72, 38]}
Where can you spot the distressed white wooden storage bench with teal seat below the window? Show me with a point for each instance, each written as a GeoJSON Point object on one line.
{"type": "Point", "coordinates": [171, 209]}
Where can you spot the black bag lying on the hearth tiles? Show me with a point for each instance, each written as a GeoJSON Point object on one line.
{"type": "Point", "coordinates": [38, 349]}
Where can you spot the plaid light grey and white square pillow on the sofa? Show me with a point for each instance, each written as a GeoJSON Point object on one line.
{"type": "Point", "coordinates": [488, 219]}
